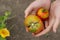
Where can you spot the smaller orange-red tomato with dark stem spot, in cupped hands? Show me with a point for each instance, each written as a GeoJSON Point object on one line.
{"type": "Point", "coordinates": [43, 13]}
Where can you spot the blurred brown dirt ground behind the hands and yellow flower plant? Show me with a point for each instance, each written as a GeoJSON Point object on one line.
{"type": "Point", "coordinates": [16, 24]}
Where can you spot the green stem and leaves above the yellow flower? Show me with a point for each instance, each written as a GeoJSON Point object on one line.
{"type": "Point", "coordinates": [3, 19]}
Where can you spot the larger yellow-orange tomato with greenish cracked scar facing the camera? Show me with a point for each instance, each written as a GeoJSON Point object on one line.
{"type": "Point", "coordinates": [34, 23]}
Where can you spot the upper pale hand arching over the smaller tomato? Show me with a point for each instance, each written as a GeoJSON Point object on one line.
{"type": "Point", "coordinates": [34, 6]}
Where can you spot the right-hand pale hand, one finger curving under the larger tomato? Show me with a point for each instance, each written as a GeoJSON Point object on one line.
{"type": "Point", "coordinates": [54, 18]}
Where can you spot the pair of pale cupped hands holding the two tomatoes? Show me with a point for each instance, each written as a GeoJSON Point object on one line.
{"type": "Point", "coordinates": [54, 17]}
